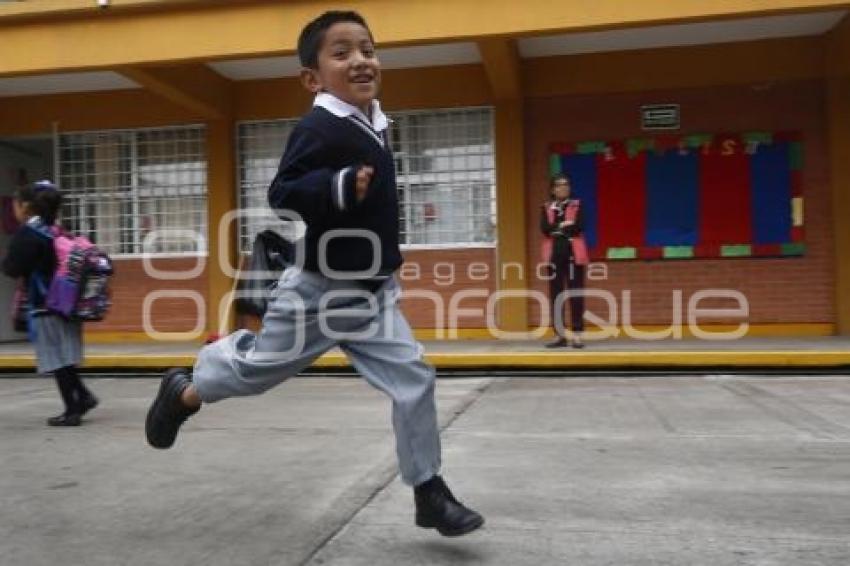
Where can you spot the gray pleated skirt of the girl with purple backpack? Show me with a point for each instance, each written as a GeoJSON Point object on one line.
{"type": "Point", "coordinates": [58, 342]}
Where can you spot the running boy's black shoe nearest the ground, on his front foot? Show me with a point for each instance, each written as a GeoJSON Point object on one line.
{"type": "Point", "coordinates": [437, 508]}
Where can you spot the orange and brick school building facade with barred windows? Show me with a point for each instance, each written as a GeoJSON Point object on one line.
{"type": "Point", "coordinates": [710, 143]}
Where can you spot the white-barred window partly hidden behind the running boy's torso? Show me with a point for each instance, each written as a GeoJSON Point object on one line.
{"type": "Point", "coordinates": [445, 174]}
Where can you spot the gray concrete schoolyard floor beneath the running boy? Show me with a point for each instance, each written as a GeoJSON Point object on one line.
{"type": "Point", "coordinates": [715, 470]}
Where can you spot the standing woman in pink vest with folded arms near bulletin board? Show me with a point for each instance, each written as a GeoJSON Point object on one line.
{"type": "Point", "coordinates": [565, 250]}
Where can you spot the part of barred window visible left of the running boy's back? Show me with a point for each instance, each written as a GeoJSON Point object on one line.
{"type": "Point", "coordinates": [260, 146]}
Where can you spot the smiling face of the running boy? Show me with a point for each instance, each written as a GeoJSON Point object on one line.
{"type": "Point", "coordinates": [348, 66]}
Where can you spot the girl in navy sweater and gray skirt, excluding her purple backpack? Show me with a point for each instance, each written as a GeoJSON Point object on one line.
{"type": "Point", "coordinates": [58, 341]}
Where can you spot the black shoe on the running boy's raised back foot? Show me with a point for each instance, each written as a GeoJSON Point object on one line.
{"type": "Point", "coordinates": [167, 412]}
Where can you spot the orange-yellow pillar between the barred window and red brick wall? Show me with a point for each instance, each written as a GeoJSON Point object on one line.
{"type": "Point", "coordinates": [510, 213]}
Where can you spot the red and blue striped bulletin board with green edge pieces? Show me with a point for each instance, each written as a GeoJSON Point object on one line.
{"type": "Point", "coordinates": [694, 196]}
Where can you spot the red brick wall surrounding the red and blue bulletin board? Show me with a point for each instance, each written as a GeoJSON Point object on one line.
{"type": "Point", "coordinates": [792, 290]}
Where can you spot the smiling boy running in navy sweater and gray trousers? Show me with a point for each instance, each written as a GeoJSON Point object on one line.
{"type": "Point", "coordinates": [338, 174]}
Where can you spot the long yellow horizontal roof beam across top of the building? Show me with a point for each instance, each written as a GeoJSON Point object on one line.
{"type": "Point", "coordinates": [212, 31]}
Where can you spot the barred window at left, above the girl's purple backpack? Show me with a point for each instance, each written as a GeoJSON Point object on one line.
{"type": "Point", "coordinates": [137, 191]}
